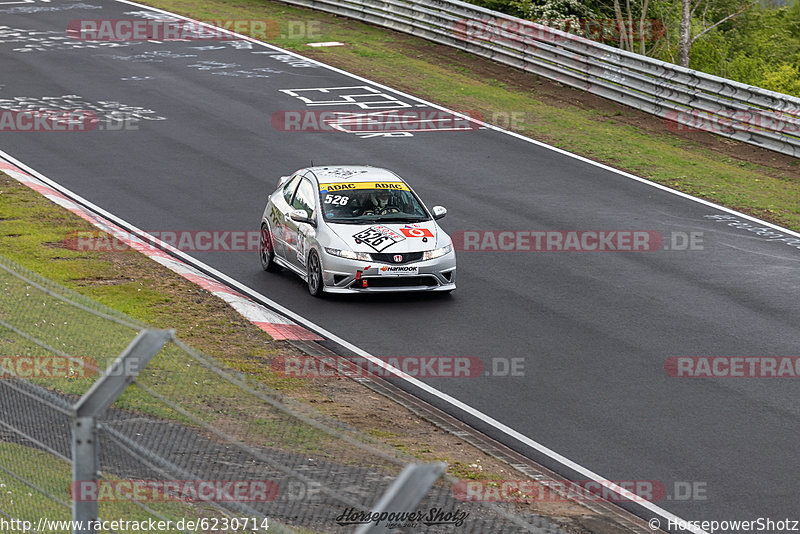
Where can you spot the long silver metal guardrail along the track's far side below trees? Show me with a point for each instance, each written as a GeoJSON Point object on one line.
{"type": "Point", "coordinates": [691, 100]}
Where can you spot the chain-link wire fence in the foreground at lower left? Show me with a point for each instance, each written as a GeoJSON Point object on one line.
{"type": "Point", "coordinates": [189, 443]}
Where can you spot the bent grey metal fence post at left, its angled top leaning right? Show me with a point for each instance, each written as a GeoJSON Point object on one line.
{"type": "Point", "coordinates": [91, 406]}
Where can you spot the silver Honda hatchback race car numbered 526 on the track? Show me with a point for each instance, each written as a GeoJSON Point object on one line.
{"type": "Point", "coordinates": [355, 229]}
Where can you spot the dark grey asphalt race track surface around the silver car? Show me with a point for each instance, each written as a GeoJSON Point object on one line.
{"type": "Point", "coordinates": [593, 329]}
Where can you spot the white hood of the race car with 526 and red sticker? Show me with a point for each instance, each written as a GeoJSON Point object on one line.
{"type": "Point", "coordinates": [402, 237]}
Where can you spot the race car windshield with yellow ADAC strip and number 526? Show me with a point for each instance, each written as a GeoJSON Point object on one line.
{"type": "Point", "coordinates": [367, 202]}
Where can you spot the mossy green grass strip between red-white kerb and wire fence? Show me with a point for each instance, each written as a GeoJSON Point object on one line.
{"type": "Point", "coordinates": [33, 233]}
